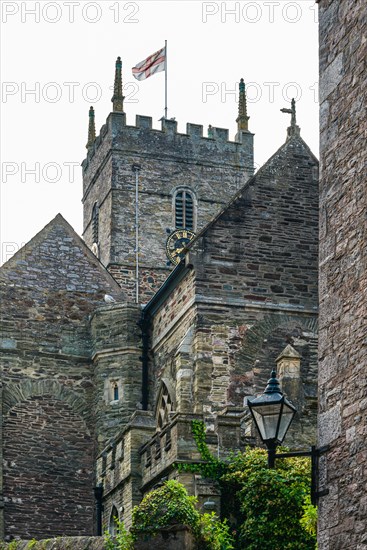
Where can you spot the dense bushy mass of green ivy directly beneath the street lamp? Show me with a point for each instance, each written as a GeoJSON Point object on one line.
{"type": "Point", "coordinates": [270, 501]}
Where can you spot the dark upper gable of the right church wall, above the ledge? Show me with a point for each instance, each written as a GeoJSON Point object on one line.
{"type": "Point", "coordinates": [264, 247]}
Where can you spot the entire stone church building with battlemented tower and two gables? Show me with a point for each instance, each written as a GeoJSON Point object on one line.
{"type": "Point", "coordinates": [193, 279]}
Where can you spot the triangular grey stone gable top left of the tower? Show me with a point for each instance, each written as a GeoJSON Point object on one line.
{"type": "Point", "coordinates": [57, 258]}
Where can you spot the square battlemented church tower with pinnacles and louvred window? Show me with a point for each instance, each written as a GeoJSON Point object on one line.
{"type": "Point", "coordinates": [141, 184]}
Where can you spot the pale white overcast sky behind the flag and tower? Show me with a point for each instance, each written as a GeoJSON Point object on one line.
{"type": "Point", "coordinates": [57, 59]}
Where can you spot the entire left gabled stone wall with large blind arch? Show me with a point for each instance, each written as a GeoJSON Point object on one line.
{"type": "Point", "coordinates": [49, 290]}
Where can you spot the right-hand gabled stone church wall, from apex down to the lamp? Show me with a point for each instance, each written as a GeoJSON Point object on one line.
{"type": "Point", "coordinates": [256, 288]}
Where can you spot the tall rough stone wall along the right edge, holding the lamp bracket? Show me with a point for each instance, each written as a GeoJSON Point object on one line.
{"type": "Point", "coordinates": [343, 274]}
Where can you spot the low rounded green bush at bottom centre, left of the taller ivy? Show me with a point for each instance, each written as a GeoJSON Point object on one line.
{"type": "Point", "coordinates": [171, 505]}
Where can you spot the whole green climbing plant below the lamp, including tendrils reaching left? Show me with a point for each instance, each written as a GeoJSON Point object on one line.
{"type": "Point", "coordinates": [268, 508]}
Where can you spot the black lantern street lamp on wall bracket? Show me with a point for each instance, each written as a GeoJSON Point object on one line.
{"type": "Point", "coordinates": [273, 414]}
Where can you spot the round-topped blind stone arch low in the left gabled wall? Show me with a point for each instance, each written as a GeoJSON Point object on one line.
{"type": "Point", "coordinates": [48, 471]}
